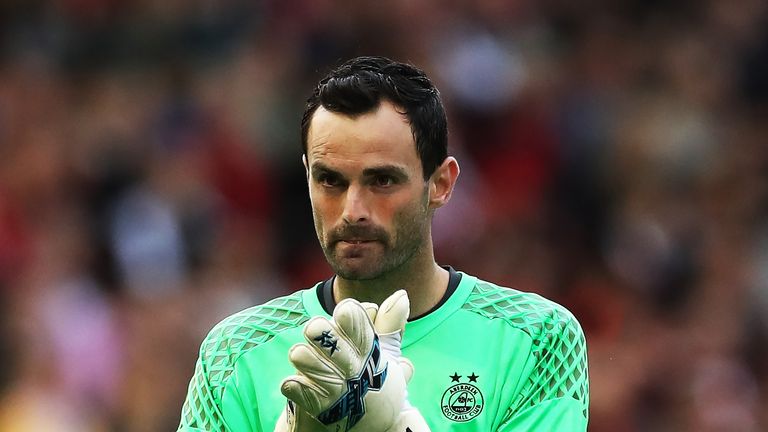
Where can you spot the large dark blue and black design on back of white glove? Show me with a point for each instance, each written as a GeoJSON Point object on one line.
{"type": "Point", "coordinates": [351, 403]}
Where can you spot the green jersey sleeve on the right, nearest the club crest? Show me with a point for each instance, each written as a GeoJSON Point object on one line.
{"type": "Point", "coordinates": [555, 395]}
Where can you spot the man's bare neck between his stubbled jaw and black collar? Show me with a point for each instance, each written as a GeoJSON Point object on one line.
{"type": "Point", "coordinates": [421, 277]}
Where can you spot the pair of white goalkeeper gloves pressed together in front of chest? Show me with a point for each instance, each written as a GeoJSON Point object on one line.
{"type": "Point", "coordinates": [350, 375]}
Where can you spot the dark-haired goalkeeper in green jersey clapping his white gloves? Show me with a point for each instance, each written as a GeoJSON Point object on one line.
{"type": "Point", "coordinates": [479, 357]}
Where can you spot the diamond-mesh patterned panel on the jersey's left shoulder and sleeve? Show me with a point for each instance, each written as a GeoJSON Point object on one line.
{"type": "Point", "coordinates": [226, 342]}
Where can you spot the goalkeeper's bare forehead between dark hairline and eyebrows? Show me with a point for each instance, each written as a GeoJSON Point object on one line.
{"type": "Point", "coordinates": [380, 136]}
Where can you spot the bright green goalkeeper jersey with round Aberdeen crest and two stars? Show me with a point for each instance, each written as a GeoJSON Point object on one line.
{"type": "Point", "coordinates": [488, 358]}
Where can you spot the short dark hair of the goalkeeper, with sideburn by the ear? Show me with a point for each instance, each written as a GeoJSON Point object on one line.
{"type": "Point", "coordinates": [359, 85]}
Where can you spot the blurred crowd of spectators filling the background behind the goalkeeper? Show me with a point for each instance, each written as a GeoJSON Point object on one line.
{"type": "Point", "coordinates": [614, 157]}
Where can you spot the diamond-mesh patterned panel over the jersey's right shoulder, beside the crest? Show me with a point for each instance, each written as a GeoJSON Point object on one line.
{"type": "Point", "coordinates": [559, 347]}
